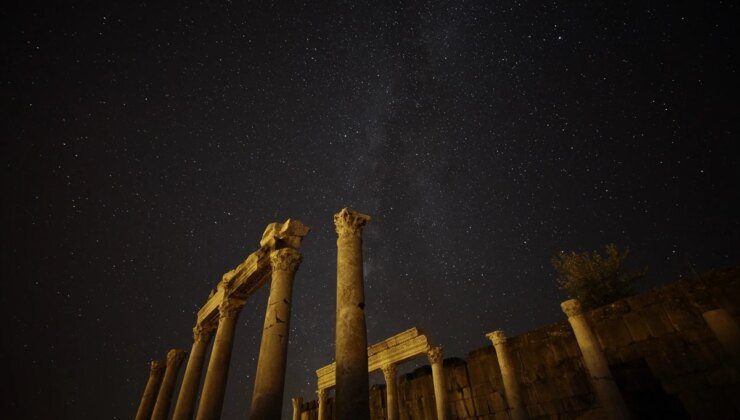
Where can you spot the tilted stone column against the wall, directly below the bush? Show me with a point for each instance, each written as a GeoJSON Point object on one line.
{"type": "Point", "coordinates": [606, 390]}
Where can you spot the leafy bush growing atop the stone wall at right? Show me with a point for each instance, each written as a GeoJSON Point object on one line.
{"type": "Point", "coordinates": [594, 279]}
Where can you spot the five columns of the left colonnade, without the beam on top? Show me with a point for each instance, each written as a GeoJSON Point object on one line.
{"type": "Point", "coordinates": [270, 378]}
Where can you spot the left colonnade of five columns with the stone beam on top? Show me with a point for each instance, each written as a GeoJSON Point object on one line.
{"type": "Point", "coordinates": [277, 260]}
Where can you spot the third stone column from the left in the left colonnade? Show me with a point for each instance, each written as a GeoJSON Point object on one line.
{"type": "Point", "coordinates": [185, 406]}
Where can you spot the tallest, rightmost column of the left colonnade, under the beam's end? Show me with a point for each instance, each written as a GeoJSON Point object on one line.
{"type": "Point", "coordinates": [267, 397]}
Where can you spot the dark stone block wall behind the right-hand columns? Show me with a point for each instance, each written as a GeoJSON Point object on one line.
{"type": "Point", "coordinates": [663, 356]}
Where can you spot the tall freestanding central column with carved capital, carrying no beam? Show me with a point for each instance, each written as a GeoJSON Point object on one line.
{"type": "Point", "coordinates": [352, 392]}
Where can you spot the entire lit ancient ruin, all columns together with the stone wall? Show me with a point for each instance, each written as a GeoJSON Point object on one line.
{"type": "Point", "coordinates": [673, 352]}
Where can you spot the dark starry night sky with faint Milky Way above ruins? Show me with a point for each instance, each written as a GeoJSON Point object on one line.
{"type": "Point", "coordinates": [146, 147]}
